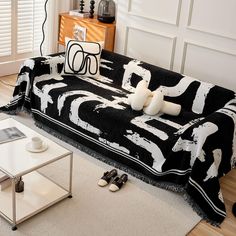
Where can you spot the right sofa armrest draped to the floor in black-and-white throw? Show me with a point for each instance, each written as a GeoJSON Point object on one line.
{"type": "Point", "coordinates": [209, 146]}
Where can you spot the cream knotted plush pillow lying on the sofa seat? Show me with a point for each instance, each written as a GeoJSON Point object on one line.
{"type": "Point", "coordinates": [151, 102]}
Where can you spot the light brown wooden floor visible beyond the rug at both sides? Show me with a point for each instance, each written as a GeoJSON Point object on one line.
{"type": "Point", "coordinates": [228, 183]}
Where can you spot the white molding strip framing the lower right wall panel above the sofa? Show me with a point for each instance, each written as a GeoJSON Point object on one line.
{"type": "Point", "coordinates": [187, 43]}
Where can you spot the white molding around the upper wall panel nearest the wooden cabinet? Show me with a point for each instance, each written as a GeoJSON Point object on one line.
{"type": "Point", "coordinates": [176, 22]}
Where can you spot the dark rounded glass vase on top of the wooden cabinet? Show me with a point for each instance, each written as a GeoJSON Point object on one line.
{"type": "Point", "coordinates": [106, 11]}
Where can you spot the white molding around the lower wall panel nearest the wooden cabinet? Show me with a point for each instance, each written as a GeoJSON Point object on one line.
{"type": "Point", "coordinates": [172, 38]}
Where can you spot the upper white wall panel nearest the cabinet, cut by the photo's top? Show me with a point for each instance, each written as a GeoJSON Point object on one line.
{"type": "Point", "coordinates": [161, 10]}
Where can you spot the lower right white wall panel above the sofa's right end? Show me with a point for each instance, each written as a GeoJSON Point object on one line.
{"type": "Point", "coordinates": [210, 65]}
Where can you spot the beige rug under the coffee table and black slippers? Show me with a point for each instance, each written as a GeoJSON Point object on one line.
{"type": "Point", "coordinates": [138, 209]}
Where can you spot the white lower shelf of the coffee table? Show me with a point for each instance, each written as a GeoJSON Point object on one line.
{"type": "Point", "coordinates": [38, 194]}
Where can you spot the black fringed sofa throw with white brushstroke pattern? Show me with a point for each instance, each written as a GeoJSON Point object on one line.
{"type": "Point", "coordinates": [191, 151]}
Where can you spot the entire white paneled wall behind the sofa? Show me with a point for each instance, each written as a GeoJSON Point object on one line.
{"type": "Point", "coordinates": [159, 29]}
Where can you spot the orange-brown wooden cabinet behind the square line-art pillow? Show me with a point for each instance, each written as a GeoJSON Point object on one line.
{"type": "Point", "coordinates": [95, 30]}
